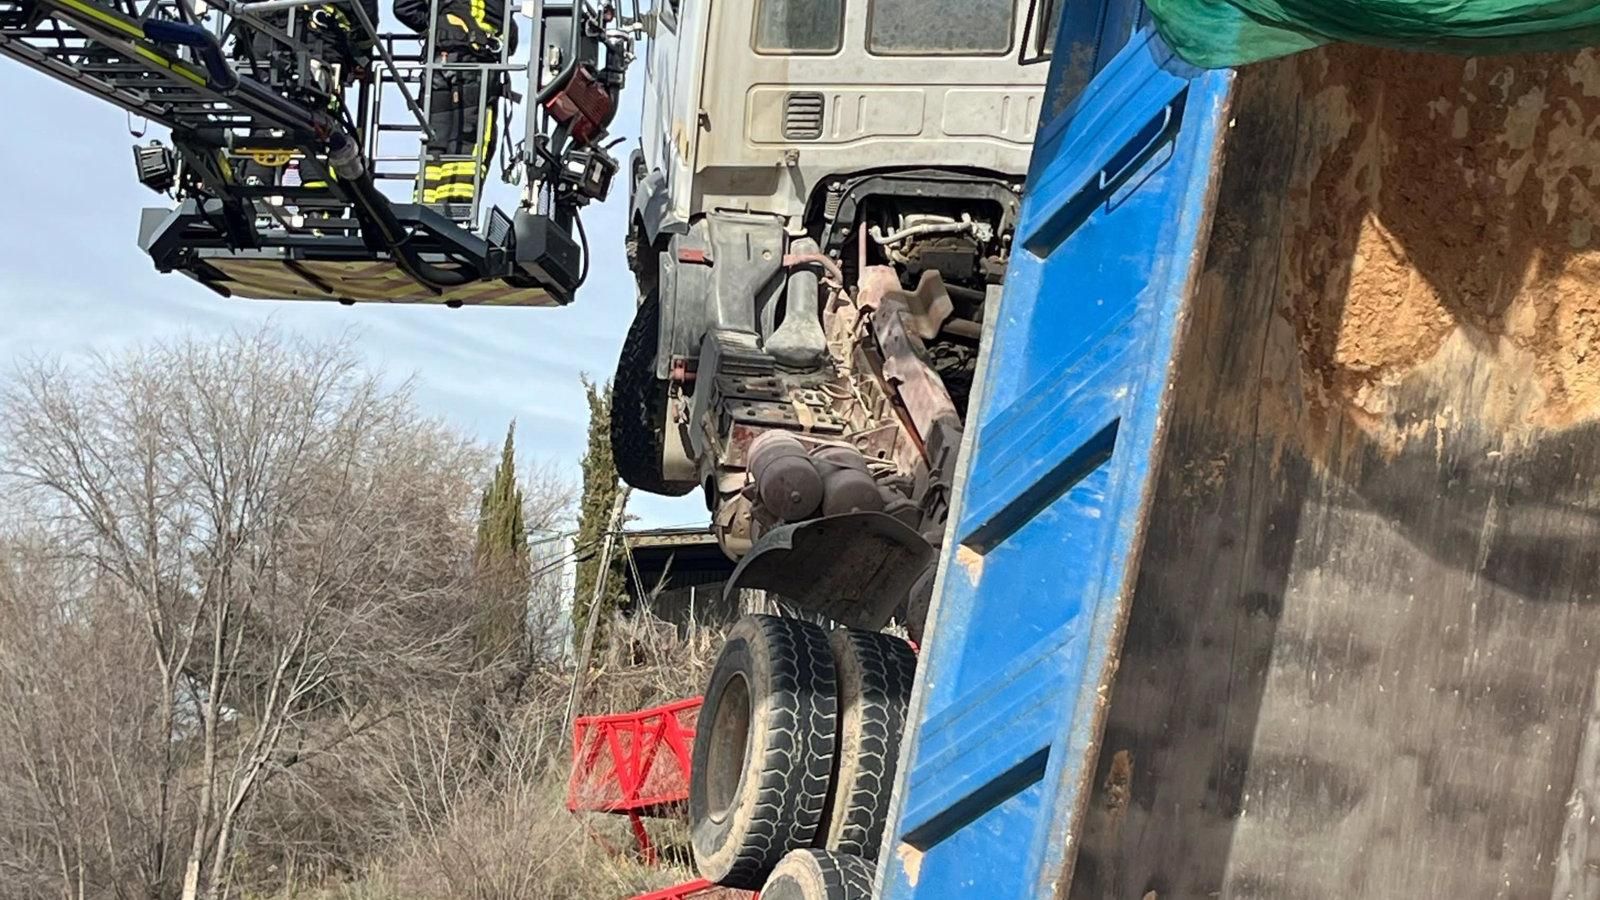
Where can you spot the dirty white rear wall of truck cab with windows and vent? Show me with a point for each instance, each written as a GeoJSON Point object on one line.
{"type": "Point", "coordinates": [751, 105]}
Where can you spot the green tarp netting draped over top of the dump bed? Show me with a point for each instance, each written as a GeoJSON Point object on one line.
{"type": "Point", "coordinates": [1233, 33]}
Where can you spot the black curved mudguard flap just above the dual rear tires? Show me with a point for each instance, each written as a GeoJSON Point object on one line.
{"type": "Point", "coordinates": [855, 569]}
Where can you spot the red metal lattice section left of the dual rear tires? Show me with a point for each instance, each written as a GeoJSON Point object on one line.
{"type": "Point", "coordinates": [634, 765]}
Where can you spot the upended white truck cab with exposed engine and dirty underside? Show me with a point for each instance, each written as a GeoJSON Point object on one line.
{"type": "Point", "coordinates": [823, 209]}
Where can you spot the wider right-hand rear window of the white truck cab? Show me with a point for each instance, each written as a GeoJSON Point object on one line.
{"type": "Point", "coordinates": [940, 28]}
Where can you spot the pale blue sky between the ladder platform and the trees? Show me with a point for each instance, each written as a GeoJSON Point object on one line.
{"type": "Point", "coordinates": [74, 281]}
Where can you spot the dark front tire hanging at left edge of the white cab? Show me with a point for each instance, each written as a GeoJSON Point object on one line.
{"type": "Point", "coordinates": [639, 408]}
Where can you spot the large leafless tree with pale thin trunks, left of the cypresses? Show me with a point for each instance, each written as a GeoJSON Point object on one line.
{"type": "Point", "coordinates": [247, 545]}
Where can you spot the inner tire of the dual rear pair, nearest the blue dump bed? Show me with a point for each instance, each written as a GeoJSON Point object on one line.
{"type": "Point", "coordinates": [876, 675]}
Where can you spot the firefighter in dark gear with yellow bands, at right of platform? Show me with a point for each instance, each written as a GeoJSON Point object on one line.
{"type": "Point", "coordinates": [466, 31]}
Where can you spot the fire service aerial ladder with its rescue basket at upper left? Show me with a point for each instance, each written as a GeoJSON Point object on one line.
{"type": "Point", "coordinates": [335, 100]}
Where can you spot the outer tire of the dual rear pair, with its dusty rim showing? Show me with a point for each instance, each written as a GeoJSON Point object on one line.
{"type": "Point", "coordinates": [764, 750]}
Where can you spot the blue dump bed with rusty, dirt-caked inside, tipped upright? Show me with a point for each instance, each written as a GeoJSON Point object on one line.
{"type": "Point", "coordinates": [1278, 550]}
